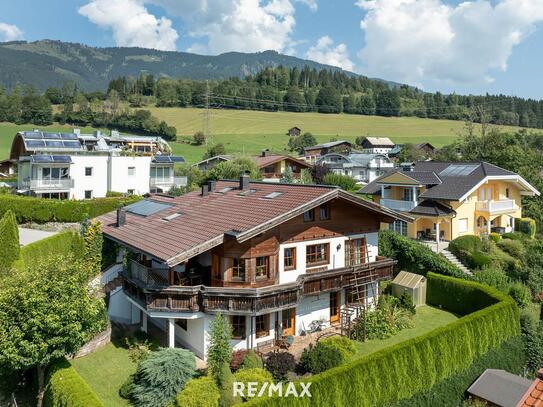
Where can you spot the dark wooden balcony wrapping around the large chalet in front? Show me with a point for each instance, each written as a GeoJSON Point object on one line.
{"type": "Point", "coordinates": [252, 301]}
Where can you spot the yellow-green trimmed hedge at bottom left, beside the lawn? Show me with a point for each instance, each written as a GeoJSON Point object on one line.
{"type": "Point", "coordinates": [66, 388]}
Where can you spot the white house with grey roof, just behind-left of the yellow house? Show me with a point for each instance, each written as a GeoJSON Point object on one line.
{"type": "Point", "coordinates": [363, 168]}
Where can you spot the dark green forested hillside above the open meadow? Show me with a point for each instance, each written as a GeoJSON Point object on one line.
{"type": "Point", "coordinates": [325, 91]}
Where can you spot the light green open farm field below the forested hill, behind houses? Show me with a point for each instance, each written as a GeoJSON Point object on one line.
{"type": "Point", "coordinates": [249, 132]}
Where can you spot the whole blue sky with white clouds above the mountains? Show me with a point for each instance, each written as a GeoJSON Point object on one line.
{"type": "Point", "coordinates": [467, 47]}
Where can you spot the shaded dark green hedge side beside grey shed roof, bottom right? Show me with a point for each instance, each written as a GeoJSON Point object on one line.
{"type": "Point", "coordinates": [451, 392]}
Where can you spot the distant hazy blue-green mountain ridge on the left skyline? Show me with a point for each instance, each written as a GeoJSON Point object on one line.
{"type": "Point", "coordinates": [51, 63]}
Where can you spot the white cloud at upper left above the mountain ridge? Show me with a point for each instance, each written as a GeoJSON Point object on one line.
{"type": "Point", "coordinates": [131, 23]}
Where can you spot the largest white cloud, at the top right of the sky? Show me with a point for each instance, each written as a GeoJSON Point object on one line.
{"type": "Point", "coordinates": [420, 40]}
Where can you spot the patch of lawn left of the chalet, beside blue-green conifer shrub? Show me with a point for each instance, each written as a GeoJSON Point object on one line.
{"type": "Point", "coordinates": [105, 371]}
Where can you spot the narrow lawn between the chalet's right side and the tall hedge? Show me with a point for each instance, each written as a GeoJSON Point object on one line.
{"type": "Point", "coordinates": [426, 319]}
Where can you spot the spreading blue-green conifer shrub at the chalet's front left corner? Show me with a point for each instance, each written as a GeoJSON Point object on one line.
{"type": "Point", "coordinates": [161, 376]}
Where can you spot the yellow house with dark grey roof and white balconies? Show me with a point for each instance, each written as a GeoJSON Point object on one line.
{"type": "Point", "coordinates": [449, 200]}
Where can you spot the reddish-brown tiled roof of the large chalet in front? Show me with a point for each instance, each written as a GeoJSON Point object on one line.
{"type": "Point", "coordinates": [204, 220]}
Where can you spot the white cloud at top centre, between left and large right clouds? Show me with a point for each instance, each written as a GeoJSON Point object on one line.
{"type": "Point", "coordinates": [235, 25]}
